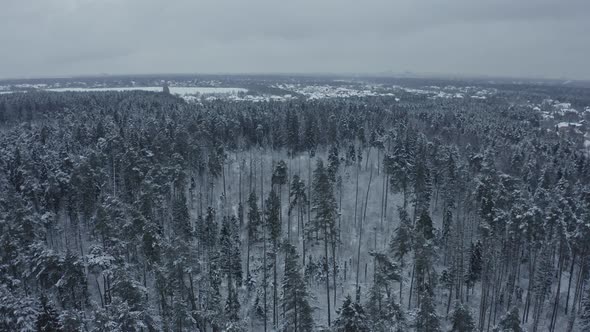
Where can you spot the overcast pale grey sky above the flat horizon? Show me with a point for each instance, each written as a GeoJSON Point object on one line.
{"type": "Point", "coordinates": [516, 38]}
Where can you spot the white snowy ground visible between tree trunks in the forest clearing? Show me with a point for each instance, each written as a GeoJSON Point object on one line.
{"type": "Point", "coordinates": [376, 230]}
